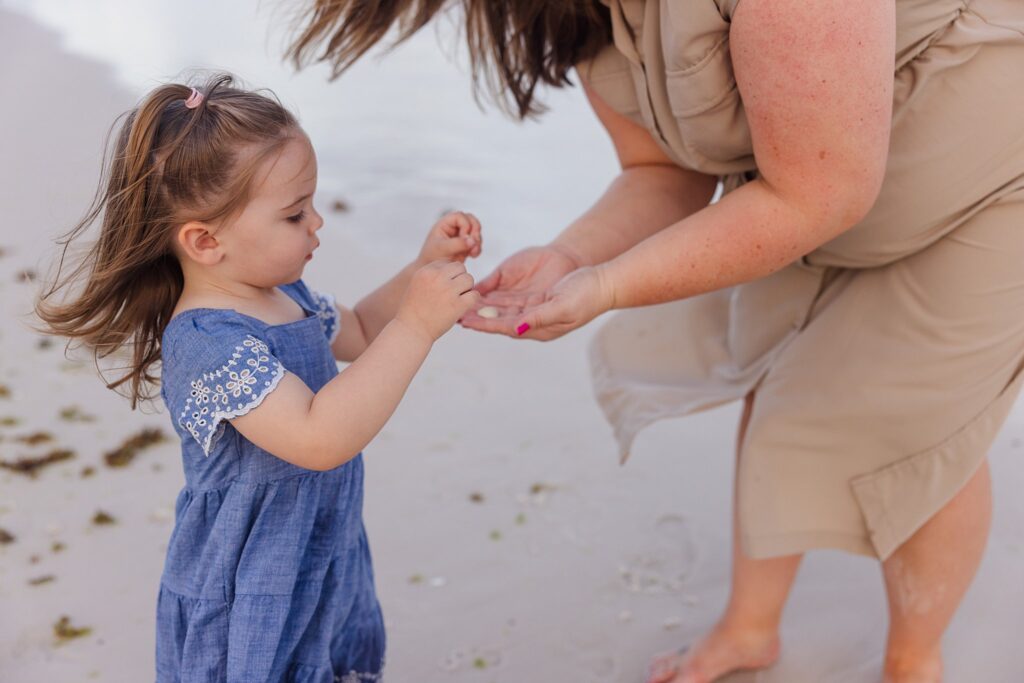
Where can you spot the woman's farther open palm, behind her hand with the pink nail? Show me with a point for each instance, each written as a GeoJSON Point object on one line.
{"type": "Point", "coordinates": [522, 281]}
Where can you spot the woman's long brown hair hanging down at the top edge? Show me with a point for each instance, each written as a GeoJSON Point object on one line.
{"type": "Point", "coordinates": [513, 46]}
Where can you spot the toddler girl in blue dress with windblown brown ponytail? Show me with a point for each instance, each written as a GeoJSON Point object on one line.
{"type": "Point", "coordinates": [207, 224]}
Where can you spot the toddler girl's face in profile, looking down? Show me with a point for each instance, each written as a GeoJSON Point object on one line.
{"type": "Point", "coordinates": [271, 242]}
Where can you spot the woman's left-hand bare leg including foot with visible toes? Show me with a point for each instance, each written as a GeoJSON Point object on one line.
{"type": "Point", "coordinates": [747, 635]}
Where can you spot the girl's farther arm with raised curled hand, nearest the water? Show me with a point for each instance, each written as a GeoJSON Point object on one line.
{"type": "Point", "coordinates": [455, 237]}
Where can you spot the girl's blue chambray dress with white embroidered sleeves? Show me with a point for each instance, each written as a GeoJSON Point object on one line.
{"type": "Point", "coordinates": [269, 575]}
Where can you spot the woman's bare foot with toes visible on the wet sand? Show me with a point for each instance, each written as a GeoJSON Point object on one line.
{"type": "Point", "coordinates": [721, 652]}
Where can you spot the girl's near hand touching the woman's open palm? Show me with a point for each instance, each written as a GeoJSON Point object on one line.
{"type": "Point", "coordinates": [438, 296]}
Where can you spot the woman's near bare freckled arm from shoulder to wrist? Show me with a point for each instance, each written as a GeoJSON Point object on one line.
{"type": "Point", "coordinates": [817, 83]}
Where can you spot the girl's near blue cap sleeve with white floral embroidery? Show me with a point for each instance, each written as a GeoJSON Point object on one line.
{"type": "Point", "coordinates": [218, 370]}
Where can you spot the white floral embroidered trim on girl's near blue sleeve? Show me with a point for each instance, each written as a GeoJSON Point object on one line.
{"type": "Point", "coordinates": [215, 398]}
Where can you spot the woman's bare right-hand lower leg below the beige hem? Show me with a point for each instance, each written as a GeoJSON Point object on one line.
{"type": "Point", "coordinates": [926, 580]}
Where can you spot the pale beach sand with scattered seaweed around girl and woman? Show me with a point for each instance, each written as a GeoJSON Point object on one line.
{"type": "Point", "coordinates": [508, 543]}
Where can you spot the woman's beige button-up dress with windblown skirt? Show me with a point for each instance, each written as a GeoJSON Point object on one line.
{"type": "Point", "coordinates": [885, 362]}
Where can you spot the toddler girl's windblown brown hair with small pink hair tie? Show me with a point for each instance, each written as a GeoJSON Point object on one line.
{"type": "Point", "coordinates": [169, 165]}
